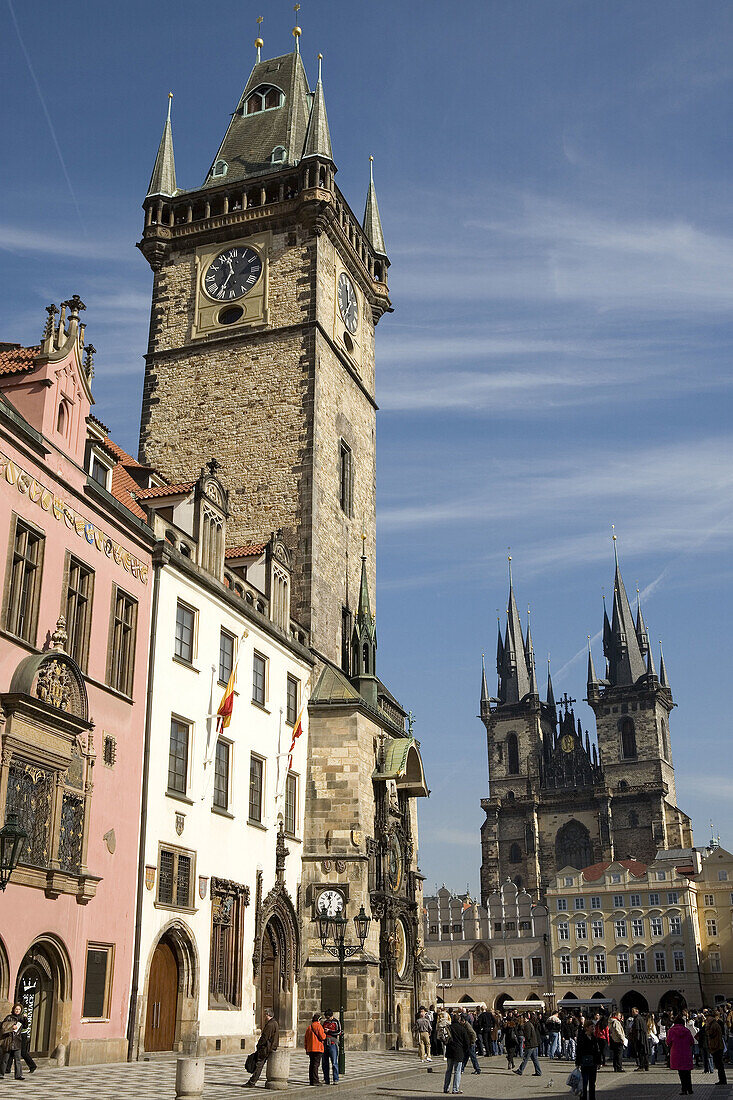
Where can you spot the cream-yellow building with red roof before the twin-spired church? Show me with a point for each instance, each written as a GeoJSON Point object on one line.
{"type": "Point", "coordinates": [628, 932]}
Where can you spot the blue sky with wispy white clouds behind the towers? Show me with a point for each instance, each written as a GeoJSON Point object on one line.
{"type": "Point", "coordinates": [554, 181]}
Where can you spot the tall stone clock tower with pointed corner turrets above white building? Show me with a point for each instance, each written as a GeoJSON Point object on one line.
{"type": "Point", "coordinates": [267, 292]}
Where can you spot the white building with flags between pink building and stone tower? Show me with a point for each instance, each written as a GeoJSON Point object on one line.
{"type": "Point", "coordinates": [217, 930]}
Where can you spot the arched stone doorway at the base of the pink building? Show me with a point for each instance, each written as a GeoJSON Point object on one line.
{"type": "Point", "coordinates": [43, 987]}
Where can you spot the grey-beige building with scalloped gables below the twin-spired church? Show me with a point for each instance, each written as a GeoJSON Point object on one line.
{"type": "Point", "coordinates": [489, 955]}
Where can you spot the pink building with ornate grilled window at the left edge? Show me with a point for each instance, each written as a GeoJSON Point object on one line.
{"type": "Point", "coordinates": [74, 634]}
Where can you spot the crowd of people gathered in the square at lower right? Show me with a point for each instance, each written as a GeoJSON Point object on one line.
{"type": "Point", "coordinates": [587, 1038]}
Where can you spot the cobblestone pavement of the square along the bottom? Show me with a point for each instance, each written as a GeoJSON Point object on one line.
{"type": "Point", "coordinates": [387, 1076]}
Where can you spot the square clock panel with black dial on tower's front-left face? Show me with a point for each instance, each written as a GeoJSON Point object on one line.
{"type": "Point", "coordinates": [232, 287]}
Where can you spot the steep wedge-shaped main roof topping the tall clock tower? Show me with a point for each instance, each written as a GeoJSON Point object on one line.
{"type": "Point", "coordinates": [253, 139]}
